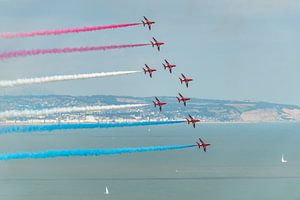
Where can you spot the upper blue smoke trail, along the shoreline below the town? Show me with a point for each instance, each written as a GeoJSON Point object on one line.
{"type": "Point", "coordinates": [53, 127]}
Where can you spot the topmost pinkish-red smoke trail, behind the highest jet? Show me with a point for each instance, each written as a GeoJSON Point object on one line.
{"type": "Point", "coordinates": [64, 31]}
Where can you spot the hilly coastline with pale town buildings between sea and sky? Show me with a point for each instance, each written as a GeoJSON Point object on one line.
{"type": "Point", "coordinates": [209, 111]}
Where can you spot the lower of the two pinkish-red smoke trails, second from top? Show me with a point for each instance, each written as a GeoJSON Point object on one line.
{"type": "Point", "coordinates": [34, 52]}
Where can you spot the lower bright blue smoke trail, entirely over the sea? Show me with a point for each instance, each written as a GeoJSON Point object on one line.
{"type": "Point", "coordinates": [85, 152]}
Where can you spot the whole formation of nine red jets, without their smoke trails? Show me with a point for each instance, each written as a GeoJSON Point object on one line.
{"type": "Point", "coordinates": [183, 80]}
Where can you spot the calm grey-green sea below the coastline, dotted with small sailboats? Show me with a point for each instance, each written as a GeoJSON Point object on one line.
{"type": "Point", "coordinates": [244, 162]}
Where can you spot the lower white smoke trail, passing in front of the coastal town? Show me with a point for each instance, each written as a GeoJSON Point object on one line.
{"type": "Point", "coordinates": [30, 113]}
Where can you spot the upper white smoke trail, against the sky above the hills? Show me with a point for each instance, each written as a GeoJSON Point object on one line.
{"type": "Point", "coordinates": [46, 79]}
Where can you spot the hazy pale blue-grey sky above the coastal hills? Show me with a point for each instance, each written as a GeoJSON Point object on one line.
{"type": "Point", "coordinates": [234, 49]}
